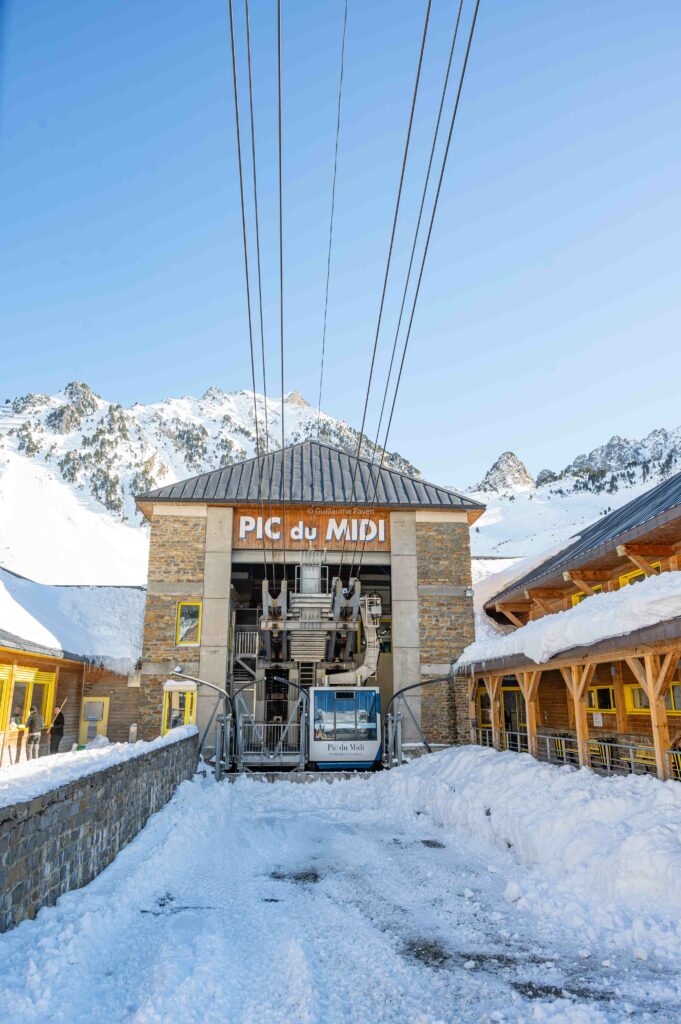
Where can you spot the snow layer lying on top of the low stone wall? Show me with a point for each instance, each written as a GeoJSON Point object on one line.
{"type": "Point", "coordinates": [32, 779]}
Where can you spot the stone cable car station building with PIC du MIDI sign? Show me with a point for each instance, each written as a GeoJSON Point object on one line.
{"type": "Point", "coordinates": [232, 547]}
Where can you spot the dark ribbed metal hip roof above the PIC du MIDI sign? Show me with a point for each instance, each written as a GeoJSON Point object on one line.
{"type": "Point", "coordinates": [313, 474]}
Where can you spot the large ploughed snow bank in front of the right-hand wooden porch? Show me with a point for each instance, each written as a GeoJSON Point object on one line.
{"type": "Point", "coordinates": [606, 851]}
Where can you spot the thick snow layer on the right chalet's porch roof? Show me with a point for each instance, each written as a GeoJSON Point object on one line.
{"type": "Point", "coordinates": [602, 616]}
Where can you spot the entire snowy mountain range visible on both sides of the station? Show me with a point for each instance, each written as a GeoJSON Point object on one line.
{"type": "Point", "coordinates": [71, 463]}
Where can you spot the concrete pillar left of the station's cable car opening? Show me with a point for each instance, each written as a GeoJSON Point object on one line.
{"type": "Point", "coordinates": [214, 655]}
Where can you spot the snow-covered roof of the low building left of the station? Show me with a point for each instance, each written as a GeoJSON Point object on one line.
{"type": "Point", "coordinates": [100, 624]}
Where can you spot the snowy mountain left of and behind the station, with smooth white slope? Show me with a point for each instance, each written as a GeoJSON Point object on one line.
{"type": "Point", "coordinates": [71, 464]}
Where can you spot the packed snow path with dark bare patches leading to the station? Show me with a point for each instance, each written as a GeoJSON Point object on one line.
{"type": "Point", "coordinates": [316, 905]}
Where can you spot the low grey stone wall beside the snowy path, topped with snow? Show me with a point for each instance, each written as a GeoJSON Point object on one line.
{"type": "Point", "coordinates": [64, 839]}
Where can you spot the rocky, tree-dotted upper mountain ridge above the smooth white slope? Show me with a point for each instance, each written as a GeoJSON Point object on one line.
{"type": "Point", "coordinates": [111, 454]}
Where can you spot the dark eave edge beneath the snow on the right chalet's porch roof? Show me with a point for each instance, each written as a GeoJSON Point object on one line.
{"type": "Point", "coordinates": [667, 632]}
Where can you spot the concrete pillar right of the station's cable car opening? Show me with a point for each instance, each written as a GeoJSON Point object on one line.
{"type": "Point", "coordinates": [406, 639]}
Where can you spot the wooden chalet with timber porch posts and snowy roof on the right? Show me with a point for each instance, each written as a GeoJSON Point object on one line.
{"type": "Point", "coordinates": [613, 703]}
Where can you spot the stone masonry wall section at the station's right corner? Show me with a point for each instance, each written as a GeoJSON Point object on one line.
{"type": "Point", "coordinates": [446, 623]}
